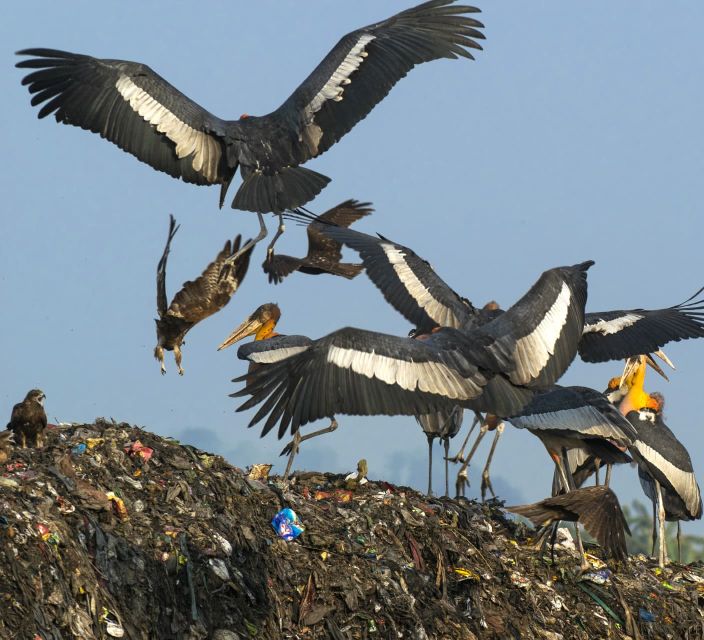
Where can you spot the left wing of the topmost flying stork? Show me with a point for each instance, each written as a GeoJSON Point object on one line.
{"type": "Point", "coordinates": [134, 108]}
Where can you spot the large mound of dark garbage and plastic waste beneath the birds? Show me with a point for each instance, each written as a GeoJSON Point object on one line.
{"type": "Point", "coordinates": [110, 531]}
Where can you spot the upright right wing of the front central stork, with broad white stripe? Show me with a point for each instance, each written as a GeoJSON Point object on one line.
{"type": "Point", "coordinates": [536, 339]}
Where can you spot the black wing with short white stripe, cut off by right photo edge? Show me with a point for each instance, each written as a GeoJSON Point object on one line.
{"type": "Point", "coordinates": [616, 335]}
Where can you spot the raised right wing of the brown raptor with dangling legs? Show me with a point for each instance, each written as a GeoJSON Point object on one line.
{"type": "Point", "coordinates": [214, 288]}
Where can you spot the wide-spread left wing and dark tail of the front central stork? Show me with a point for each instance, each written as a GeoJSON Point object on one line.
{"type": "Point", "coordinates": [357, 372]}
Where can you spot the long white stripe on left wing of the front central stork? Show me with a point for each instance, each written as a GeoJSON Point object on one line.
{"type": "Point", "coordinates": [428, 377]}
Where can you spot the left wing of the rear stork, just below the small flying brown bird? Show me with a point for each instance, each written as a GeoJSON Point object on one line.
{"type": "Point", "coordinates": [407, 282]}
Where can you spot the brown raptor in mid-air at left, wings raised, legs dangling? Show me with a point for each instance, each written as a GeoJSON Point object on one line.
{"type": "Point", "coordinates": [197, 299]}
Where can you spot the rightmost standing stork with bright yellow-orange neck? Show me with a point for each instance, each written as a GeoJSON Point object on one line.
{"type": "Point", "coordinates": [664, 464]}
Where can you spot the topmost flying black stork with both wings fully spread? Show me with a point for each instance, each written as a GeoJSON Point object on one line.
{"type": "Point", "coordinates": [139, 111]}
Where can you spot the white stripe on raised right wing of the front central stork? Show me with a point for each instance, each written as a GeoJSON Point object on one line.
{"type": "Point", "coordinates": [534, 350]}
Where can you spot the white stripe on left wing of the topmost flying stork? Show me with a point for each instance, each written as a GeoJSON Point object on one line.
{"type": "Point", "coordinates": [204, 149]}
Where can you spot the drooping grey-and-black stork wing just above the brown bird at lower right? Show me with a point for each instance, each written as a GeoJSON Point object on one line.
{"type": "Point", "coordinates": [578, 410]}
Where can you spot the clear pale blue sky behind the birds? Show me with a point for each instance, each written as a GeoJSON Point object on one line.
{"type": "Point", "coordinates": [576, 134]}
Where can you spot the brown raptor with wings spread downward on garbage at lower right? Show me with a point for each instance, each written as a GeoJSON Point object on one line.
{"type": "Point", "coordinates": [597, 508]}
